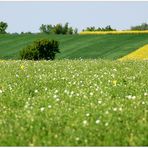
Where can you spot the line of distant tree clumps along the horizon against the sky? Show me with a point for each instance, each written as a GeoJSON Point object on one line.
{"type": "Point", "coordinates": [66, 29]}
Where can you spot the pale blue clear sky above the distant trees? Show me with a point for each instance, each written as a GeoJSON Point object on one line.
{"type": "Point", "coordinates": [28, 16]}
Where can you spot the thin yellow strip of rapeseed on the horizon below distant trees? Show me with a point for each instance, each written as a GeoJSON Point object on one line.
{"type": "Point", "coordinates": [115, 32]}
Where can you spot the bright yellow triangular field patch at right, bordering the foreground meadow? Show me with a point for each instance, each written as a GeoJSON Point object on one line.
{"type": "Point", "coordinates": [139, 54]}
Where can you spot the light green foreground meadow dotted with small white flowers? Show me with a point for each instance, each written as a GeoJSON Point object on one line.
{"type": "Point", "coordinates": [70, 103]}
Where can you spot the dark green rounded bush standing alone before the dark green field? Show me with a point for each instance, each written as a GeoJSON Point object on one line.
{"type": "Point", "coordinates": [42, 49]}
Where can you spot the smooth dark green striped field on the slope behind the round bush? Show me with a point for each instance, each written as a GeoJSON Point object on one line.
{"type": "Point", "coordinates": [76, 46]}
